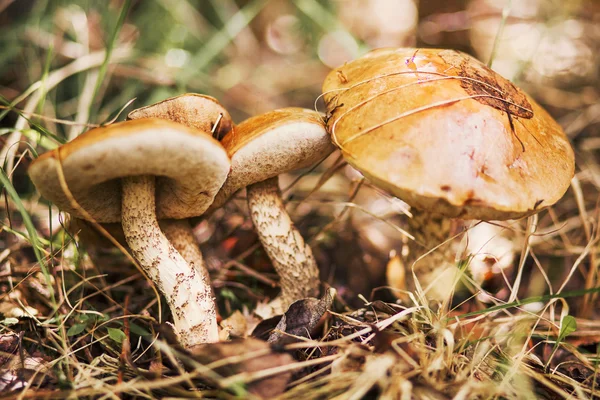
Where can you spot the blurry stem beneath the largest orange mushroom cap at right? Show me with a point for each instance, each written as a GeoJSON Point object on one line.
{"type": "Point", "coordinates": [436, 271]}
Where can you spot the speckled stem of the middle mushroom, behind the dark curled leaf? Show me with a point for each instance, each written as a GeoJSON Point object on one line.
{"type": "Point", "coordinates": [291, 257]}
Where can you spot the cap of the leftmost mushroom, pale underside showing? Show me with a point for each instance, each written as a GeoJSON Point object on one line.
{"type": "Point", "coordinates": [190, 167]}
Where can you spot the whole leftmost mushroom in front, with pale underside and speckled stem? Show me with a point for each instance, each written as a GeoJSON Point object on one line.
{"type": "Point", "coordinates": [135, 172]}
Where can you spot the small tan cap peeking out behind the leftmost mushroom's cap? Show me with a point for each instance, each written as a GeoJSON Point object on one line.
{"type": "Point", "coordinates": [194, 110]}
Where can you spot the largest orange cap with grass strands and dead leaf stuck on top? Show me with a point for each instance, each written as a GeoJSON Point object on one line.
{"type": "Point", "coordinates": [443, 132]}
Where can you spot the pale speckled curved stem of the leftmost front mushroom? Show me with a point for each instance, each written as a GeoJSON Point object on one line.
{"type": "Point", "coordinates": [187, 292]}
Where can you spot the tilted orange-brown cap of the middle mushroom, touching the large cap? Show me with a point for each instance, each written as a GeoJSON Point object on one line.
{"type": "Point", "coordinates": [273, 143]}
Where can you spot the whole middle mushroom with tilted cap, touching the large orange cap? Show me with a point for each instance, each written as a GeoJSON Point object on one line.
{"type": "Point", "coordinates": [261, 148]}
